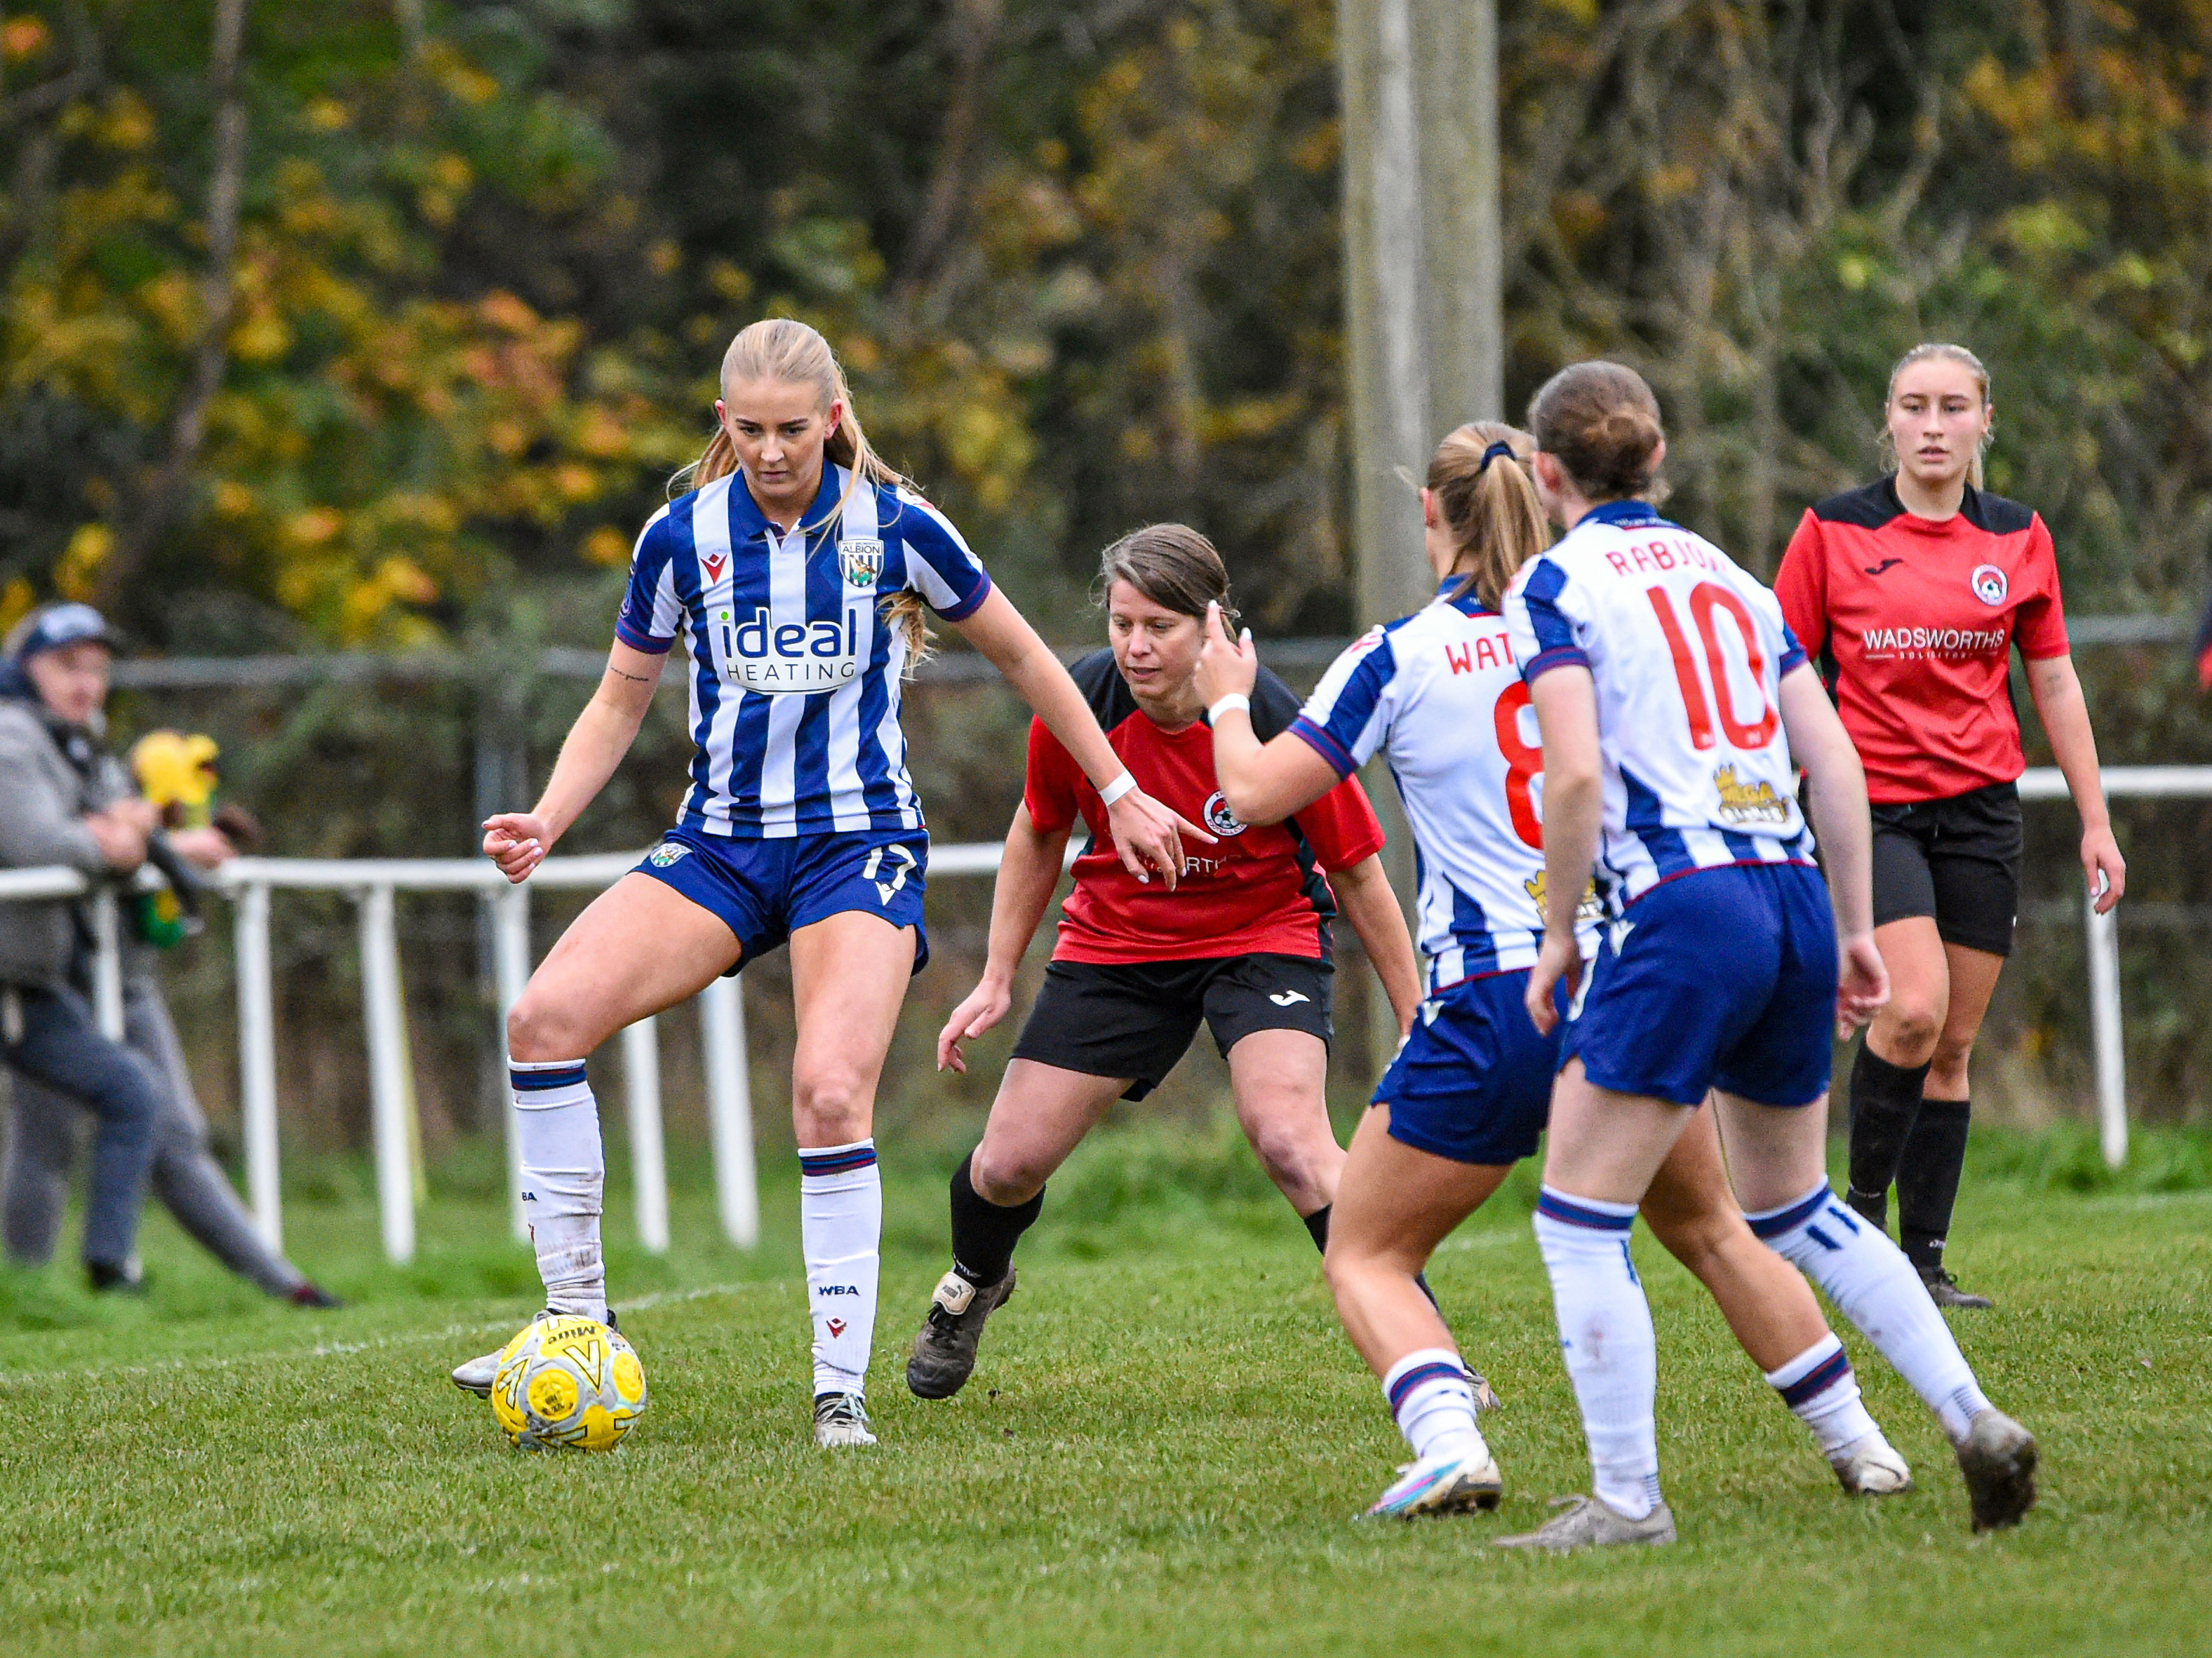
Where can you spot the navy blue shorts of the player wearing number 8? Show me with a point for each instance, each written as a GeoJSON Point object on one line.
{"type": "Point", "coordinates": [1474, 1080]}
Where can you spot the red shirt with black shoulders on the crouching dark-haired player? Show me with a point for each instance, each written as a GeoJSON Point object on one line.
{"type": "Point", "coordinates": [1255, 890]}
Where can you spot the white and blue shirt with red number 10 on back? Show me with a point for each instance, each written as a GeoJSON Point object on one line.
{"type": "Point", "coordinates": [1689, 653]}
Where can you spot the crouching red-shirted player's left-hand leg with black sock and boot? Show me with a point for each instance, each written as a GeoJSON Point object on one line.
{"type": "Point", "coordinates": [1039, 1120]}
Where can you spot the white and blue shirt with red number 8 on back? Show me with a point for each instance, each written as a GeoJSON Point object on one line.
{"type": "Point", "coordinates": [1443, 700]}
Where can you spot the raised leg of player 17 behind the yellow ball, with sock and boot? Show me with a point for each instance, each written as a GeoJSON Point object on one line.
{"type": "Point", "coordinates": [638, 949]}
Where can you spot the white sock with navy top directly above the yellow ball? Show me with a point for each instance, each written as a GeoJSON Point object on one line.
{"type": "Point", "coordinates": [563, 1182]}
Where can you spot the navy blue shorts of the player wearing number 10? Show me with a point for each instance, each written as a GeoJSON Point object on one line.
{"type": "Point", "coordinates": [1724, 978]}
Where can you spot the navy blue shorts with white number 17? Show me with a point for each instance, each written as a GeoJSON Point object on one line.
{"type": "Point", "coordinates": [769, 890]}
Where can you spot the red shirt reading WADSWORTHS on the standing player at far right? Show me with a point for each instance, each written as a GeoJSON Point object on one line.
{"type": "Point", "coordinates": [1919, 620]}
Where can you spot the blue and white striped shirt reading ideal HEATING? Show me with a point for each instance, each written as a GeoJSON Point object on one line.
{"type": "Point", "coordinates": [795, 673]}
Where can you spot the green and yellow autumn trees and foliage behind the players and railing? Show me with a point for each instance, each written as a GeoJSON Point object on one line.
{"type": "Point", "coordinates": [1083, 260]}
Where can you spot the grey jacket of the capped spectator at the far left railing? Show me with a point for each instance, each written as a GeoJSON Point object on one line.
{"type": "Point", "coordinates": [43, 806]}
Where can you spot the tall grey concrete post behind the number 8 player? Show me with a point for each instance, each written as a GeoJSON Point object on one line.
{"type": "Point", "coordinates": [1421, 293]}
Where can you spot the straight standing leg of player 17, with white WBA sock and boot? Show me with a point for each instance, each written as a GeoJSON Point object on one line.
{"type": "Point", "coordinates": [848, 983]}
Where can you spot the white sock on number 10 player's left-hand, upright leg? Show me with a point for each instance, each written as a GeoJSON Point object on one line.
{"type": "Point", "coordinates": [1607, 1341]}
